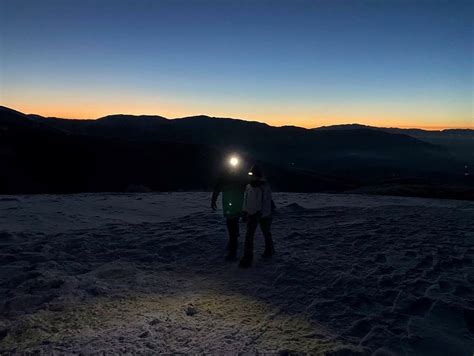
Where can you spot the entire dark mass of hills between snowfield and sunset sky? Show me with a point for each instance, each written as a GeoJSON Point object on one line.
{"type": "Point", "coordinates": [117, 152]}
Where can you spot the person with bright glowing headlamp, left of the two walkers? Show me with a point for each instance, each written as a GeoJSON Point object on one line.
{"type": "Point", "coordinates": [232, 185]}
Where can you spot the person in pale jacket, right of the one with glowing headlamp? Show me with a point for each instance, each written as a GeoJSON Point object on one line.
{"type": "Point", "coordinates": [257, 207]}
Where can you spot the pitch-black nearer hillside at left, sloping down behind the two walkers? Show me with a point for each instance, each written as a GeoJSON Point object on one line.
{"type": "Point", "coordinates": [47, 156]}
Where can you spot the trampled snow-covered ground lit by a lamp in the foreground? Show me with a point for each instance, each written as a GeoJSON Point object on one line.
{"type": "Point", "coordinates": [145, 273]}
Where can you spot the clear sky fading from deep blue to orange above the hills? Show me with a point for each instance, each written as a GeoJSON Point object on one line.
{"type": "Point", "coordinates": [305, 63]}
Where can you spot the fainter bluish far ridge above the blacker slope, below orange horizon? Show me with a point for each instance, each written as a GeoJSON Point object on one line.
{"type": "Point", "coordinates": [357, 151]}
